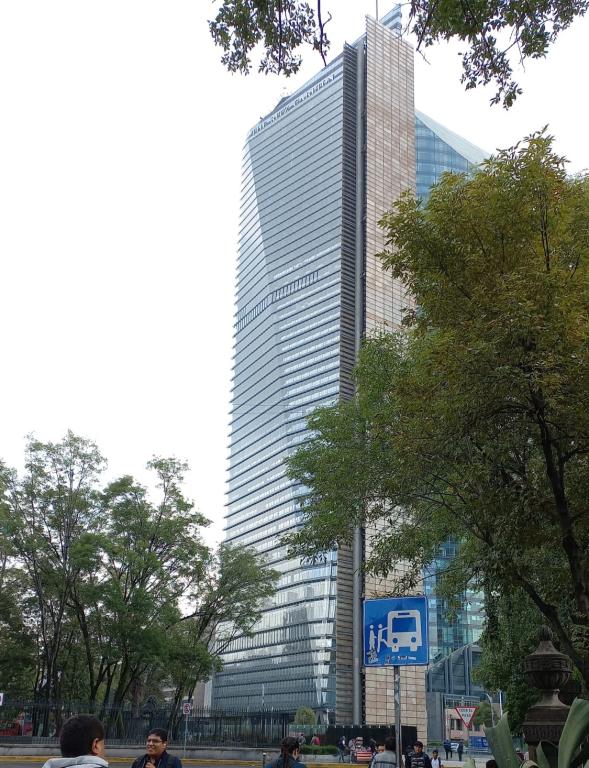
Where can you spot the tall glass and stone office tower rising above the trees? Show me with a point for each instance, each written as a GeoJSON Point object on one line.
{"type": "Point", "coordinates": [318, 173]}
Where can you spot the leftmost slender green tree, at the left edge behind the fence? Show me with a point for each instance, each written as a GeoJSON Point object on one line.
{"type": "Point", "coordinates": [43, 516]}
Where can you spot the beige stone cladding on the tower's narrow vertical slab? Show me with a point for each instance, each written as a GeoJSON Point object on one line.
{"type": "Point", "coordinates": [390, 171]}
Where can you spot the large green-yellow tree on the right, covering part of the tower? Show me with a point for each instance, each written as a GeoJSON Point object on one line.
{"type": "Point", "coordinates": [472, 423]}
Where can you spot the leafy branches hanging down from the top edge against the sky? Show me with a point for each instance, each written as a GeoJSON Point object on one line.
{"type": "Point", "coordinates": [491, 31]}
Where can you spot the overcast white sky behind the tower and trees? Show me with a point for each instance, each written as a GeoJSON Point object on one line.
{"type": "Point", "coordinates": [120, 151]}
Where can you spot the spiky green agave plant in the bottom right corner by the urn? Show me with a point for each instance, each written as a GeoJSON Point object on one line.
{"type": "Point", "coordinates": [572, 750]}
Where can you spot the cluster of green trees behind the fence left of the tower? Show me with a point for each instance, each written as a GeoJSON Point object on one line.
{"type": "Point", "coordinates": [119, 590]}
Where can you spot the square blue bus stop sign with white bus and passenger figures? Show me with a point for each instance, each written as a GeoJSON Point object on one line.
{"type": "Point", "coordinates": [395, 632]}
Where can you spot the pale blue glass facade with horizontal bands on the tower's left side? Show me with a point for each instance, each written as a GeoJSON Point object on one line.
{"type": "Point", "coordinates": [288, 361]}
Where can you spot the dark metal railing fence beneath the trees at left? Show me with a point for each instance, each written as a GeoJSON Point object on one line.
{"type": "Point", "coordinates": [39, 722]}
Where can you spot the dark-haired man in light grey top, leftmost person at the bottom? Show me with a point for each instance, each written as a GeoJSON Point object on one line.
{"type": "Point", "coordinates": [81, 741]}
